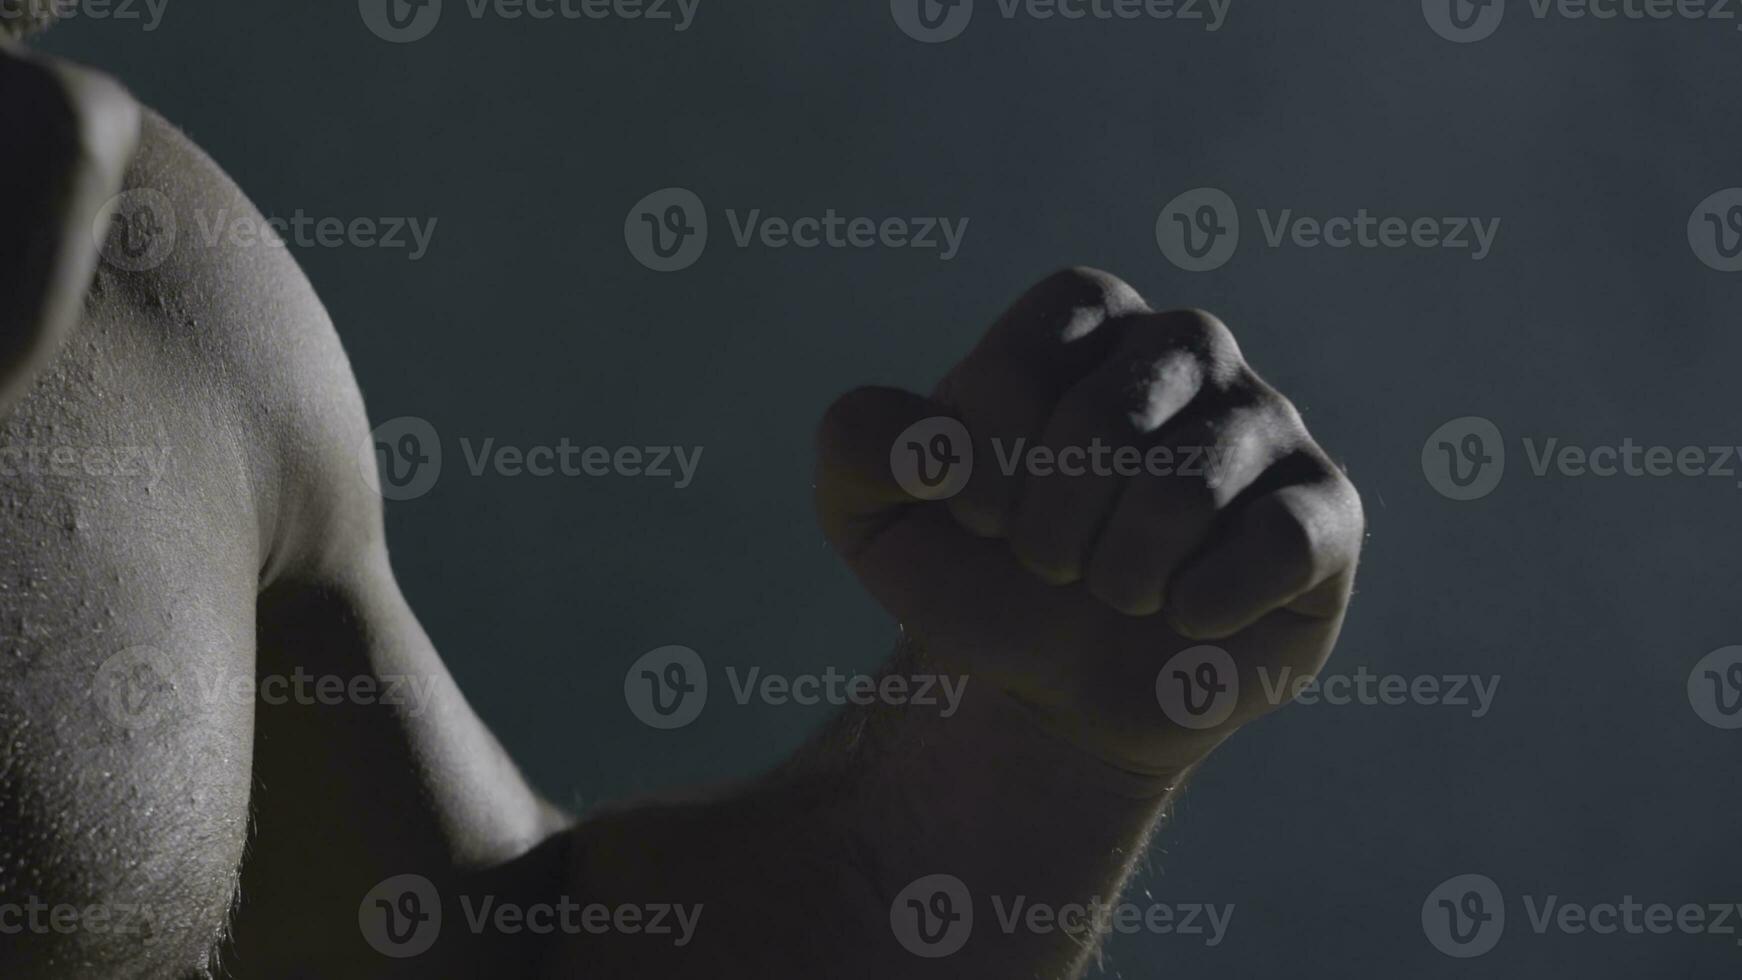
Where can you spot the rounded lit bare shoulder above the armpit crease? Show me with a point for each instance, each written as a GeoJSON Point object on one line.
{"type": "Point", "coordinates": [234, 319]}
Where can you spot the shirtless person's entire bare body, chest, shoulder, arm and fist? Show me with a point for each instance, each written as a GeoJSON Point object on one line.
{"type": "Point", "coordinates": [255, 549]}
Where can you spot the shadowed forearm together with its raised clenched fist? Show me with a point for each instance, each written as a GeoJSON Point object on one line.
{"type": "Point", "coordinates": [1081, 608]}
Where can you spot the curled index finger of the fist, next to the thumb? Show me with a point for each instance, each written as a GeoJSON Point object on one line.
{"type": "Point", "coordinates": [1008, 387]}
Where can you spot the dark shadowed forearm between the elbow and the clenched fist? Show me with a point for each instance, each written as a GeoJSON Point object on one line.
{"type": "Point", "coordinates": [799, 873]}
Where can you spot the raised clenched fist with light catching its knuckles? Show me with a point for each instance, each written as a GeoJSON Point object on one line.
{"type": "Point", "coordinates": [1104, 513]}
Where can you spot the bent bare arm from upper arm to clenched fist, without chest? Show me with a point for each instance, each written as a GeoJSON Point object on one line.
{"type": "Point", "coordinates": [1074, 608]}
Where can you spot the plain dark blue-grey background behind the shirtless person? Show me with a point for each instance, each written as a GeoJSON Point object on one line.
{"type": "Point", "coordinates": [1327, 826]}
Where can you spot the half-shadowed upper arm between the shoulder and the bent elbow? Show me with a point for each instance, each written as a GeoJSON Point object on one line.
{"type": "Point", "coordinates": [389, 770]}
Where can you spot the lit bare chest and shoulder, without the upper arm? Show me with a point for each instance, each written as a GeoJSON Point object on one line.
{"type": "Point", "coordinates": [191, 438]}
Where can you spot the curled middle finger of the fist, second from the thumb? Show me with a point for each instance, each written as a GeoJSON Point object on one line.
{"type": "Point", "coordinates": [1098, 440]}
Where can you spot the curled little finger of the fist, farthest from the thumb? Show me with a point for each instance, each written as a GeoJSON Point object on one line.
{"type": "Point", "coordinates": [1276, 551]}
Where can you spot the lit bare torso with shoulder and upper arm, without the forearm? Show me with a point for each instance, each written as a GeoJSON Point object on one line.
{"type": "Point", "coordinates": [186, 518]}
